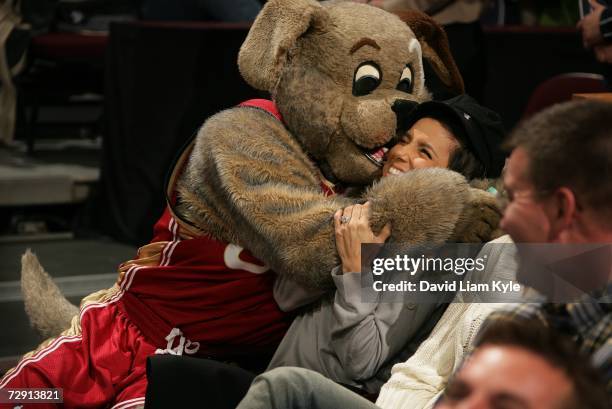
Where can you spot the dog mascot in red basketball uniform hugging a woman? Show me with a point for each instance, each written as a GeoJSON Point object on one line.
{"type": "Point", "coordinates": [254, 196]}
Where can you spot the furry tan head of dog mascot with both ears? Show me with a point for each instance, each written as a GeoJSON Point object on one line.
{"type": "Point", "coordinates": [341, 73]}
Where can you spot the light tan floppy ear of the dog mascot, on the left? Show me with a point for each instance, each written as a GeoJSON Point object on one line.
{"type": "Point", "coordinates": [274, 32]}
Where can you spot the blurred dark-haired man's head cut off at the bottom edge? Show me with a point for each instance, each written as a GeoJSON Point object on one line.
{"type": "Point", "coordinates": [524, 365]}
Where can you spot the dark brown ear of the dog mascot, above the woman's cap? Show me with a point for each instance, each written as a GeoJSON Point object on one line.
{"type": "Point", "coordinates": [434, 44]}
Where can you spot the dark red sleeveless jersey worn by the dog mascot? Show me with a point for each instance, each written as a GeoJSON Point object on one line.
{"type": "Point", "coordinates": [192, 294]}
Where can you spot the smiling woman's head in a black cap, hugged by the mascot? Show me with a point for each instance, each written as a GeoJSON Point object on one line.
{"type": "Point", "coordinates": [458, 134]}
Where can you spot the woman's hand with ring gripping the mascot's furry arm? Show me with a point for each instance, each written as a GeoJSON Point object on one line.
{"type": "Point", "coordinates": [352, 228]}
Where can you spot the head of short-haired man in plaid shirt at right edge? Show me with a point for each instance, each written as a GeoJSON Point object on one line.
{"type": "Point", "coordinates": [557, 176]}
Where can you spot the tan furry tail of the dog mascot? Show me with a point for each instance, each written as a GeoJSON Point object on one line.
{"type": "Point", "coordinates": [49, 311]}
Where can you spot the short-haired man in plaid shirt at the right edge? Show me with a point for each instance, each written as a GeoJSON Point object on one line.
{"type": "Point", "coordinates": [559, 191]}
